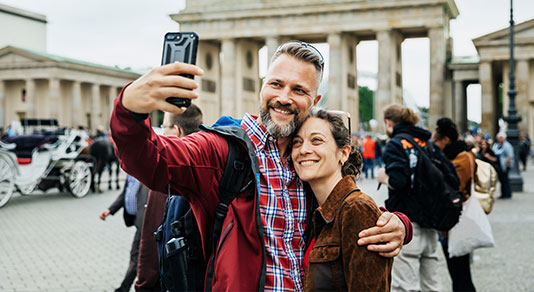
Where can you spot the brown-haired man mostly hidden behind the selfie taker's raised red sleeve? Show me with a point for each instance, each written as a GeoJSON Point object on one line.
{"type": "Point", "coordinates": [174, 125]}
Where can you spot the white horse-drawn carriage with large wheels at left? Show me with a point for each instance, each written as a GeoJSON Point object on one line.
{"type": "Point", "coordinates": [48, 157]}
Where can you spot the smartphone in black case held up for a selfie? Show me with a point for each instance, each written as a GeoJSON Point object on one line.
{"type": "Point", "coordinates": [180, 47]}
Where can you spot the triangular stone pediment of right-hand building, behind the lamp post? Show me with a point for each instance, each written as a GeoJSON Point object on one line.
{"type": "Point", "coordinates": [523, 32]}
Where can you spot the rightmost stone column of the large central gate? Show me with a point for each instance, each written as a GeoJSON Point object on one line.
{"type": "Point", "coordinates": [438, 55]}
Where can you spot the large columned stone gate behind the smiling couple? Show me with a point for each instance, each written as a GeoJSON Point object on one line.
{"type": "Point", "coordinates": [236, 30]}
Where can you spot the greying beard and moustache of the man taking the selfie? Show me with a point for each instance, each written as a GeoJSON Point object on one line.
{"type": "Point", "coordinates": [274, 129]}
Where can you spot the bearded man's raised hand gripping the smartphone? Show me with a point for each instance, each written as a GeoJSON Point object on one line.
{"type": "Point", "coordinates": [148, 93]}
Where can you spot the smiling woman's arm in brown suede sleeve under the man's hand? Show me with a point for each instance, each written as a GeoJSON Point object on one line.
{"type": "Point", "coordinates": [364, 270]}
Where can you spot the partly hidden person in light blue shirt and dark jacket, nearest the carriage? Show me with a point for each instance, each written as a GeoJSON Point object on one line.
{"type": "Point", "coordinates": [132, 199]}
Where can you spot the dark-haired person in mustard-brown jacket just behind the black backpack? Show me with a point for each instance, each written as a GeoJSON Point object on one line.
{"type": "Point", "coordinates": [464, 160]}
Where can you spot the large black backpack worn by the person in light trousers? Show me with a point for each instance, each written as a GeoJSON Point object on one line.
{"type": "Point", "coordinates": [434, 194]}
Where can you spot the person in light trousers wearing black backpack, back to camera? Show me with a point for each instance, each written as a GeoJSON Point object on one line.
{"type": "Point", "coordinates": [420, 190]}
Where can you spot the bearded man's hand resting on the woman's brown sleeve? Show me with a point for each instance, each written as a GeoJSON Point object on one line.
{"type": "Point", "coordinates": [386, 237]}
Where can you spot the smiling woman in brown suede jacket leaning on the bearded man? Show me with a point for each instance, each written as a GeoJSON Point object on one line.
{"type": "Point", "coordinates": [323, 158]}
